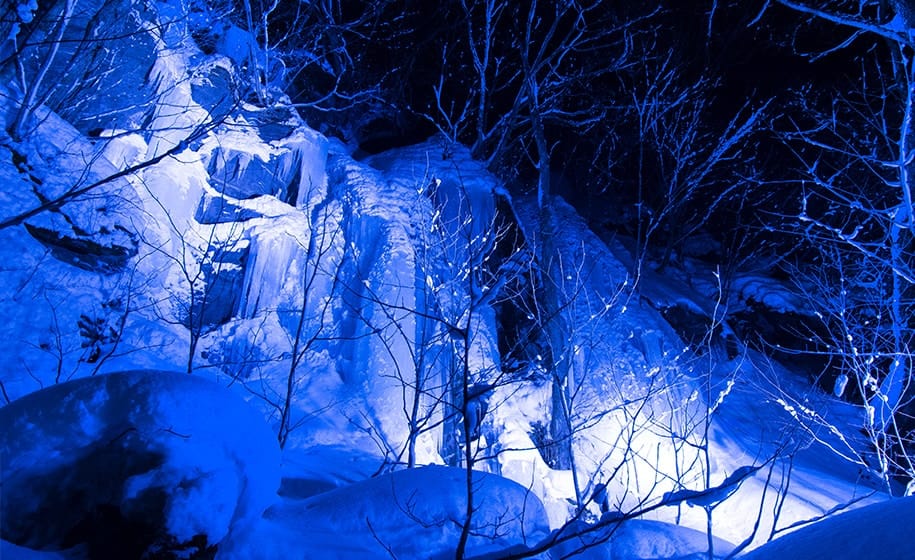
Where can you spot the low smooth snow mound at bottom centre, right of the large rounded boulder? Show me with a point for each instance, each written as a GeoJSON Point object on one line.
{"type": "Point", "coordinates": [414, 513]}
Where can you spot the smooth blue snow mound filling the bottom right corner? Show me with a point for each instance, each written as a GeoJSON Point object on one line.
{"type": "Point", "coordinates": [882, 530]}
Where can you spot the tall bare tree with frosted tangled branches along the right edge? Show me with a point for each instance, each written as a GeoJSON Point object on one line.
{"type": "Point", "coordinates": [855, 212]}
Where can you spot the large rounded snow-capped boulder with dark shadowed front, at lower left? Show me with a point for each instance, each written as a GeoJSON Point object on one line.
{"type": "Point", "coordinates": [132, 462]}
